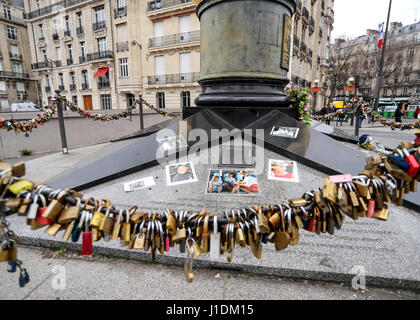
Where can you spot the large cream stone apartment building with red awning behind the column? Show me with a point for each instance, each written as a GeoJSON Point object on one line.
{"type": "Point", "coordinates": [103, 54]}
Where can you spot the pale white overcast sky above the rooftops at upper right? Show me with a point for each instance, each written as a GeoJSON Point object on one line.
{"type": "Point", "coordinates": [352, 18]}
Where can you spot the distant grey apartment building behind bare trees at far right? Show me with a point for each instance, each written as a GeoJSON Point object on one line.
{"type": "Point", "coordinates": [402, 64]}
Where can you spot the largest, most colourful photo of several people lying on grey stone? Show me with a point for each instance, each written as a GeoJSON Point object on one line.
{"type": "Point", "coordinates": [237, 182]}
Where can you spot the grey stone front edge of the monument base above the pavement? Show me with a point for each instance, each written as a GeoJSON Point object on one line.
{"type": "Point", "coordinates": [333, 277]}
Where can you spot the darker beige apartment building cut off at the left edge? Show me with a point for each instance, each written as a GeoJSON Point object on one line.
{"type": "Point", "coordinates": [17, 82]}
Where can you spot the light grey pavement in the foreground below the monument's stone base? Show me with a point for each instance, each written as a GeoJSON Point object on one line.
{"type": "Point", "coordinates": [61, 275]}
